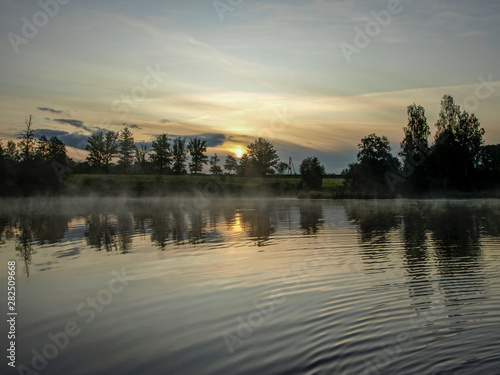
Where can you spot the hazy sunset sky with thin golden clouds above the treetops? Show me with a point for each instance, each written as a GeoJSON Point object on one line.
{"type": "Point", "coordinates": [313, 77]}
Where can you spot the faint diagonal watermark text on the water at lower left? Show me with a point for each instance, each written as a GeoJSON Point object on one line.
{"type": "Point", "coordinates": [88, 309]}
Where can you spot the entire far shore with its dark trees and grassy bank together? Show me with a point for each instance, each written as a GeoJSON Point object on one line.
{"type": "Point", "coordinates": [456, 165]}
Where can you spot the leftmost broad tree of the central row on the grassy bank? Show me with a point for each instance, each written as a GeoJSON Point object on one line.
{"type": "Point", "coordinates": [102, 147]}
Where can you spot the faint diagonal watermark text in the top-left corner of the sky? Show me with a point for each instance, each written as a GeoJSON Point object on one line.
{"type": "Point", "coordinates": [29, 29]}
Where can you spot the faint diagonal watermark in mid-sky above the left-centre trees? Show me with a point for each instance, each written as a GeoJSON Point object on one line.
{"type": "Point", "coordinates": [139, 93]}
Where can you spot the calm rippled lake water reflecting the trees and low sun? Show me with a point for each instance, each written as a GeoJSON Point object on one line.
{"type": "Point", "coordinates": [254, 287]}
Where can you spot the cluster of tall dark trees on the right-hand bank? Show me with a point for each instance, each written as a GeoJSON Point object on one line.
{"type": "Point", "coordinates": [458, 160]}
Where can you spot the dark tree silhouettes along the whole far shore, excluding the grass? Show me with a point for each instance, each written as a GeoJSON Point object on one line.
{"type": "Point", "coordinates": [458, 160]}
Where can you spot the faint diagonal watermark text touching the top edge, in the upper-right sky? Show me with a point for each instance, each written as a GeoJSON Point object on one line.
{"type": "Point", "coordinates": [363, 37]}
